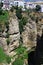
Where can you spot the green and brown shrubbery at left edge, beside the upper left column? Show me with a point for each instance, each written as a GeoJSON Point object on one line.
{"type": "Point", "coordinates": [3, 21]}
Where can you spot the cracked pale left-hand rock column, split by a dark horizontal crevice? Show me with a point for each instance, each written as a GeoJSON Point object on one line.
{"type": "Point", "coordinates": [11, 37]}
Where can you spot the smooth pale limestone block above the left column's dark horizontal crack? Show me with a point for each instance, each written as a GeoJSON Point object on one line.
{"type": "Point", "coordinates": [13, 26]}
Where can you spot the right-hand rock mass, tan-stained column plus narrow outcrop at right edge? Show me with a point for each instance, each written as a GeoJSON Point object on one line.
{"type": "Point", "coordinates": [31, 30]}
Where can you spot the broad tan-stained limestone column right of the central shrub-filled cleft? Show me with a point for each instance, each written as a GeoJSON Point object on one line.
{"type": "Point", "coordinates": [30, 34]}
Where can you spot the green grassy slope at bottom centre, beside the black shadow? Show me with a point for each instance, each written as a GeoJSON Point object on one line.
{"type": "Point", "coordinates": [22, 54]}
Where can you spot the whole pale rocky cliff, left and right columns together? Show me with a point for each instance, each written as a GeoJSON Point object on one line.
{"type": "Point", "coordinates": [10, 37]}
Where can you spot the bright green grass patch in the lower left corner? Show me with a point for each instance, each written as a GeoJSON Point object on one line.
{"type": "Point", "coordinates": [4, 57]}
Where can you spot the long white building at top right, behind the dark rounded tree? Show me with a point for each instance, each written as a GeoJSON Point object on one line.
{"type": "Point", "coordinates": [33, 5]}
